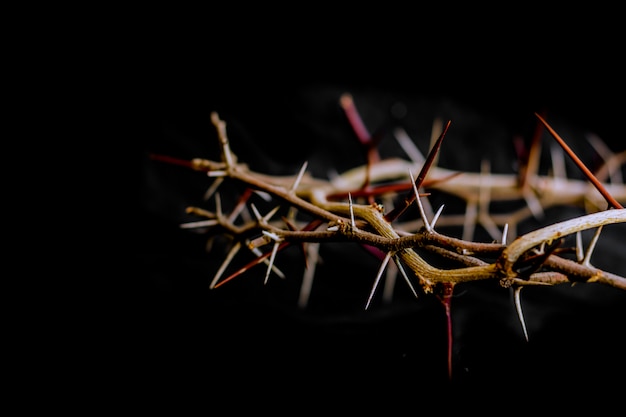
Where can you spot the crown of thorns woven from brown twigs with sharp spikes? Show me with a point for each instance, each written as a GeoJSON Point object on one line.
{"type": "Point", "coordinates": [349, 208]}
